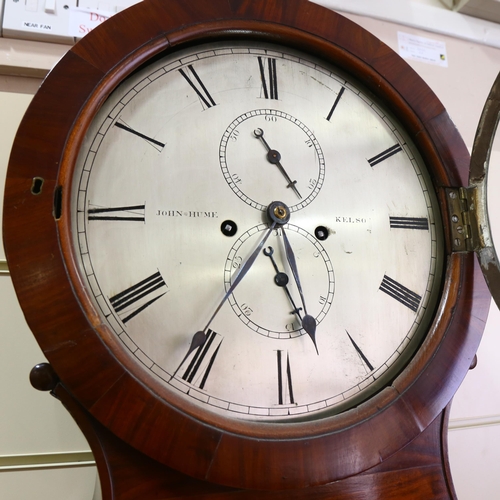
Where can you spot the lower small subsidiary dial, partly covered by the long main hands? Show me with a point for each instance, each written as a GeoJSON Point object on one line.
{"type": "Point", "coordinates": [268, 300]}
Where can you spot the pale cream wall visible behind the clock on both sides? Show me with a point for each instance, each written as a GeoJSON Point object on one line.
{"type": "Point", "coordinates": [35, 428]}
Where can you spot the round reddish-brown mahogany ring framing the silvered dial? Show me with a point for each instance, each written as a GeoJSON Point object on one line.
{"type": "Point", "coordinates": [101, 384]}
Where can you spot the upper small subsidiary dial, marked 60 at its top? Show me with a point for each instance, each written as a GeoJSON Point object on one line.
{"type": "Point", "coordinates": [273, 148]}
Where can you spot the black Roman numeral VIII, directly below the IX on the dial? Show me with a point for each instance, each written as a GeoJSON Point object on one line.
{"type": "Point", "coordinates": [135, 299]}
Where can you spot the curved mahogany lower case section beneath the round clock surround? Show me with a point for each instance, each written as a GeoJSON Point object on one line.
{"type": "Point", "coordinates": [417, 471]}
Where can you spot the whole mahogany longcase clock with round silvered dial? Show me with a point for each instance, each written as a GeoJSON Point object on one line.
{"type": "Point", "coordinates": [236, 229]}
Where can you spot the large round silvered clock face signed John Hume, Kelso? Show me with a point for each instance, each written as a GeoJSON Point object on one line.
{"type": "Point", "coordinates": [299, 318]}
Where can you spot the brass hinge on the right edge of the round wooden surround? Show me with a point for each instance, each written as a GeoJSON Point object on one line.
{"type": "Point", "coordinates": [469, 228]}
